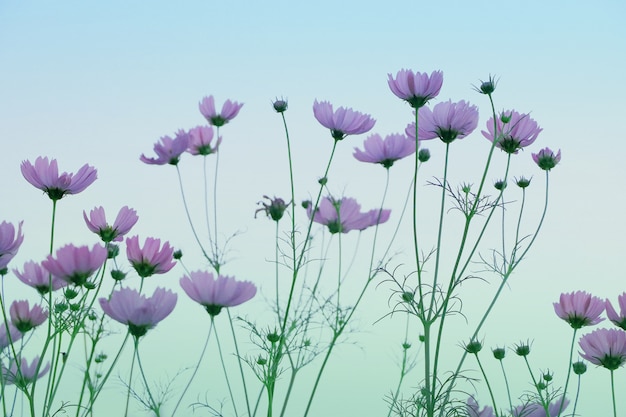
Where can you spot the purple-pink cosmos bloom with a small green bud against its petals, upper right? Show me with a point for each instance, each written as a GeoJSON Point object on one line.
{"type": "Point", "coordinates": [518, 132]}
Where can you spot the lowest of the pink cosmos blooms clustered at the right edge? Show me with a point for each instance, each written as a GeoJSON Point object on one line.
{"type": "Point", "coordinates": [604, 347]}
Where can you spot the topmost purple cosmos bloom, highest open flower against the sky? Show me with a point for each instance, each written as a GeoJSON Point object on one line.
{"type": "Point", "coordinates": [416, 88]}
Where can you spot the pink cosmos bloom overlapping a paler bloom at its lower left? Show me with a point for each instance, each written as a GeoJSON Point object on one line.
{"type": "Point", "coordinates": [75, 265]}
